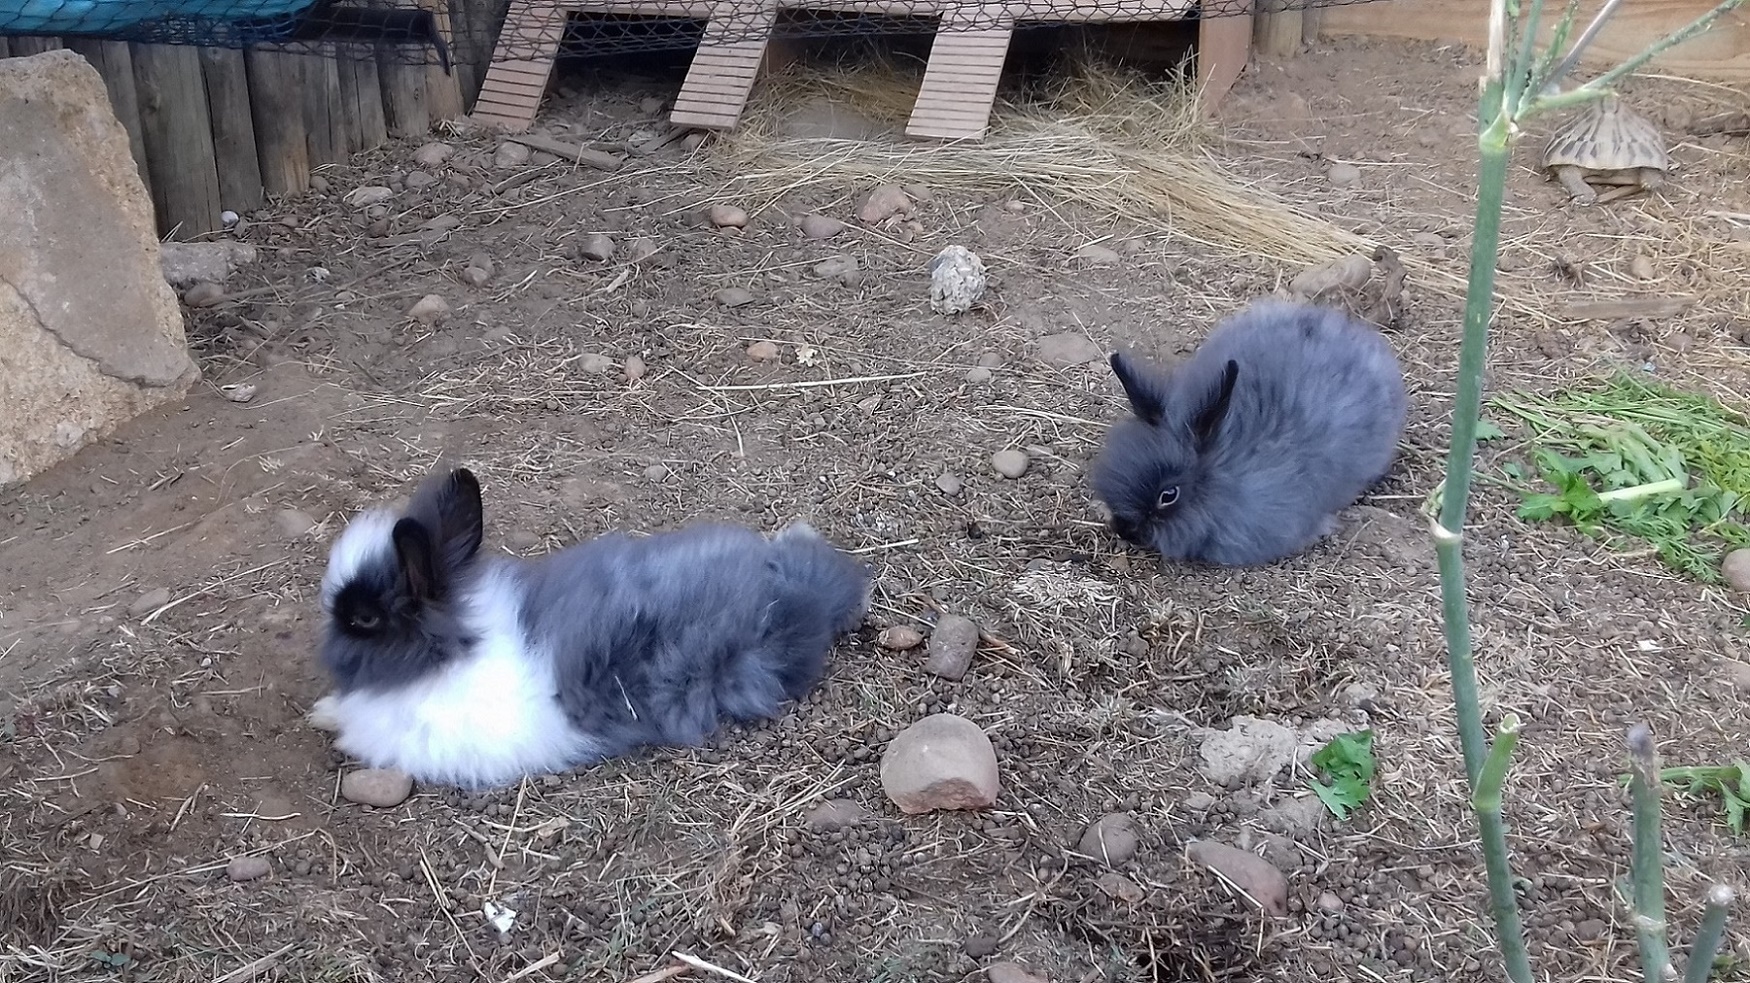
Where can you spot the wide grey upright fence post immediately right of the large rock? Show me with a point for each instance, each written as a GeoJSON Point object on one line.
{"type": "Point", "coordinates": [179, 139]}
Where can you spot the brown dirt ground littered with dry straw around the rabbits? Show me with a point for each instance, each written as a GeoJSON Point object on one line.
{"type": "Point", "coordinates": [160, 617]}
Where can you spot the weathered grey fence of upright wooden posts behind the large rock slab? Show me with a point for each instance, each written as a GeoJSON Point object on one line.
{"type": "Point", "coordinates": [223, 130]}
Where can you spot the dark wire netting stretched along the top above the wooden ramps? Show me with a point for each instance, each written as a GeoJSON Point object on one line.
{"type": "Point", "coordinates": [435, 32]}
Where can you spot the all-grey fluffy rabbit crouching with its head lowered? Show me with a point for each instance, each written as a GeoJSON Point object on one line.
{"type": "Point", "coordinates": [1245, 452]}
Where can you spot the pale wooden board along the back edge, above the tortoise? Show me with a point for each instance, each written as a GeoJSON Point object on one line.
{"type": "Point", "coordinates": [1721, 53]}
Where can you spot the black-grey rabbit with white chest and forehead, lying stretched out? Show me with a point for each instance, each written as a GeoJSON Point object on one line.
{"type": "Point", "coordinates": [477, 671]}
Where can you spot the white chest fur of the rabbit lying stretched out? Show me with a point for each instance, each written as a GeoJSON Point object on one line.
{"type": "Point", "coordinates": [482, 722]}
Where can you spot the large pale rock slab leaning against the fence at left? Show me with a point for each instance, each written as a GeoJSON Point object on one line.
{"type": "Point", "coordinates": [90, 331]}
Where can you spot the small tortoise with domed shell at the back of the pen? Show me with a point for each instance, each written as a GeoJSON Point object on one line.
{"type": "Point", "coordinates": [1607, 144]}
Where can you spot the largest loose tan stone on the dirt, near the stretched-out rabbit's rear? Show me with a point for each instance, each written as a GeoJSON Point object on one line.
{"type": "Point", "coordinates": [941, 763]}
